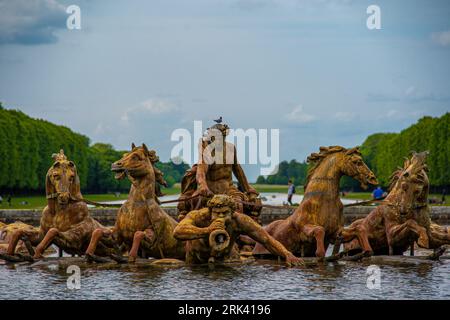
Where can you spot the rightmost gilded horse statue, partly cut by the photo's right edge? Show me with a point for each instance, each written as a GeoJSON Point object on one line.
{"type": "Point", "coordinates": [403, 217]}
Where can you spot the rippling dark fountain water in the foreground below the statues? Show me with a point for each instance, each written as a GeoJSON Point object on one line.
{"type": "Point", "coordinates": [259, 281]}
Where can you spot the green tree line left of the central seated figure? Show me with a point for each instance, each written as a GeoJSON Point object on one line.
{"type": "Point", "coordinates": [26, 147]}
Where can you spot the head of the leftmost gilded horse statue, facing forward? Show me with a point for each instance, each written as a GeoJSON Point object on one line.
{"type": "Point", "coordinates": [62, 181]}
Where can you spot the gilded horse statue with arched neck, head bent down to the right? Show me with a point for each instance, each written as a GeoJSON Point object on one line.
{"type": "Point", "coordinates": [319, 219]}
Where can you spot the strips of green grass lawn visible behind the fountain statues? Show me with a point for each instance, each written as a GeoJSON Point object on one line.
{"type": "Point", "coordinates": [39, 202]}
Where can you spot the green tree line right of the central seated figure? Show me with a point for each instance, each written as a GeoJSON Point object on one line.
{"type": "Point", "coordinates": [385, 152]}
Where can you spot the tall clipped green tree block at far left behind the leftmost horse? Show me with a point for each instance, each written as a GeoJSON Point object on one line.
{"type": "Point", "coordinates": [26, 148]}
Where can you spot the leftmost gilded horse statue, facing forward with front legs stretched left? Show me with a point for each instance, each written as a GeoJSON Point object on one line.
{"type": "Point", "coordinates": [65, 221]}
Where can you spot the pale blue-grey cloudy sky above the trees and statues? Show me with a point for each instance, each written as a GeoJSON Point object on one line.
{"type": "Point", "coordinates": [137, 70]}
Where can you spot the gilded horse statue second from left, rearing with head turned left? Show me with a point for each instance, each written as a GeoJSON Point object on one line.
{"type": "Point", "coordinates": [142, 226]}
